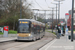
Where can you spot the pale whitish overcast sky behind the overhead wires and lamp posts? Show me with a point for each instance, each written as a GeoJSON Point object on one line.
{"type": "Point", "coordinates": [45, 4]}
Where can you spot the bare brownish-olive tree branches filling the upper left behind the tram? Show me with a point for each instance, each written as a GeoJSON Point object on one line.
{"type": "Point", "coordinates": [11, 11]}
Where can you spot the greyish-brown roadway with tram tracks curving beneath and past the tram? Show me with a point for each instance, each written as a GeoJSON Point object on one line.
{"type": "Point", "coordinates": [25, 45]}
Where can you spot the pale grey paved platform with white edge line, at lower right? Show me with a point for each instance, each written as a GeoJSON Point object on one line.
{"type": "Point", "coordinates": [59, 44]}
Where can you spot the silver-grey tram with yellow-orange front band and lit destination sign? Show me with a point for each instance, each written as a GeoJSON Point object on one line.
{"type": "Point", "coordinates": [29, 29]}
